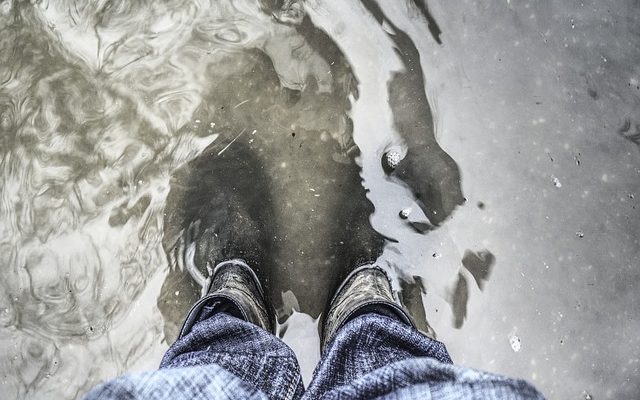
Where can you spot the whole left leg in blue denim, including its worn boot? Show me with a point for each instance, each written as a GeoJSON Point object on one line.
{"type": "Point", "coordinates": [226, 349]}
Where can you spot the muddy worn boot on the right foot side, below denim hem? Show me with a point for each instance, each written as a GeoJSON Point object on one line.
{"type": "Point", "coordinates": [366, 289]}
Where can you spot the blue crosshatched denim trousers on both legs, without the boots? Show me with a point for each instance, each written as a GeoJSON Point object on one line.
{"type": "Point", "coordinates": [372, 356]}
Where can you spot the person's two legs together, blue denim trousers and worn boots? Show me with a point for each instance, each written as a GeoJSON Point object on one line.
{"type": "Point", "coordinates": [370, 349]}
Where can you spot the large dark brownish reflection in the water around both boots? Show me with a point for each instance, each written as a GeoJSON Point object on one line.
{"type": "Point", "coordinates": [281, 180]}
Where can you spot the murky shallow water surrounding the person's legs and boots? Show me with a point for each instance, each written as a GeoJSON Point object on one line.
{"type": "Point", "coordinates": [133, 130]}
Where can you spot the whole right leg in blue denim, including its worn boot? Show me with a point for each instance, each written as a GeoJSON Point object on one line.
{"type": "Point", "coordinates": [373, 351]}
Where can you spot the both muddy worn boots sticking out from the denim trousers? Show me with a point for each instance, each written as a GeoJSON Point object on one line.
{"type": "Point", "coordinates": [235, 287]}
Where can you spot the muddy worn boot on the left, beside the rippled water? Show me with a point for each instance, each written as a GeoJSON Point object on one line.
{"type": "Point", "coordinates": [233, 288]}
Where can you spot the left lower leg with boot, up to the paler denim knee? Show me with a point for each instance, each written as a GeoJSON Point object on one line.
{"type": "Point", "coordinates": [232, 327]}
